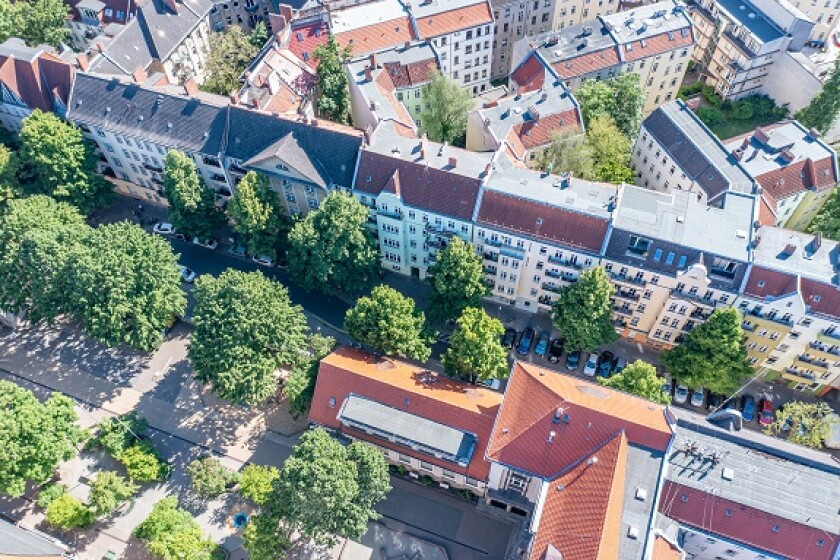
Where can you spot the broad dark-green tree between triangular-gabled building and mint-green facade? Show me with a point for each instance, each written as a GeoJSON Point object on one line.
{"type": "Point", "coordinates": [331, 250]}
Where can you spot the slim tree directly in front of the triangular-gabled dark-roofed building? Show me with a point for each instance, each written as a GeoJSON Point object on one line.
{"type": "Point", "coordinates": [257, 214]}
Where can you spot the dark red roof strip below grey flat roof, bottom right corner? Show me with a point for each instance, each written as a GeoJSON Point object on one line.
{"type": "Point", "coordinates": [744, 524]}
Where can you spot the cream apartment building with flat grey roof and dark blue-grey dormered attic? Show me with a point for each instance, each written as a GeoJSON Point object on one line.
{"type": "Point", "coordinates": [674, 260]}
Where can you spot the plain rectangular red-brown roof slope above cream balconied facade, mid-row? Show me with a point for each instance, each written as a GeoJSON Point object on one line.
{"type": "Point", "coordinates": [552, 223]}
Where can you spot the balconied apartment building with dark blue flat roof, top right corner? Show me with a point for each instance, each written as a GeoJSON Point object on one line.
{"type": "Point", "coordinates": [738, 41]}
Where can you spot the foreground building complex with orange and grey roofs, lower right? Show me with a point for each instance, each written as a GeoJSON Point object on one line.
{"type": "Point", "coordinates": [591, 472]}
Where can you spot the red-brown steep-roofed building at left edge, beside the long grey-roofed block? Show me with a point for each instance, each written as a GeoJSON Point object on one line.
{"type": "Point", "coordinates": [32, 78]}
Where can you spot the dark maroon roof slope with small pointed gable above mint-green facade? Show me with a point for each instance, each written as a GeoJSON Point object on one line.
{"type": "Point", "coordinates": [421, 186]}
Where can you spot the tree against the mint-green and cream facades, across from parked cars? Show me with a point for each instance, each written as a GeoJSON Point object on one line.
{"type": "Point", "coordinates": [457, 280]}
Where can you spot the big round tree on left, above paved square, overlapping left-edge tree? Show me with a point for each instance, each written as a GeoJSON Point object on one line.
{"type": "Point", "coordinates": [125, 286]}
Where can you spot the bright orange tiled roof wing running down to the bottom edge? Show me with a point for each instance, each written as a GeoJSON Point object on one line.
{"type": "Point", "coordinates": [581, 516]}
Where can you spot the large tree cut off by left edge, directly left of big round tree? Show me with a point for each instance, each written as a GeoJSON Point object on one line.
{"type": "Point", "coordinates": [39, 238]}
